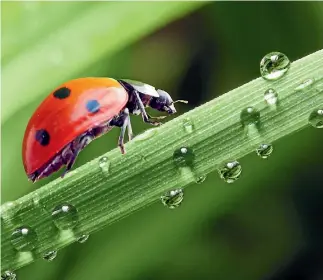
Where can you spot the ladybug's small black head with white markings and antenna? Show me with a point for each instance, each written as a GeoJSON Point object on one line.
{"type": "Point", "coordinates": [164, 102]}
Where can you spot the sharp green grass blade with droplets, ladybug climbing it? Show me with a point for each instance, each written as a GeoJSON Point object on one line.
{"type": "Point", "coordinates": [138, 178]}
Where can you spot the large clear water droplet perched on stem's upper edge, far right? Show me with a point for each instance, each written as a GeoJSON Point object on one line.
{"type": "Point", "coordinates": [274, 65]}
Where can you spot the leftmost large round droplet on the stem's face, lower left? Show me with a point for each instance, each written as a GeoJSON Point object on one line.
{"type": "Point", "coordinates": [24, 239]}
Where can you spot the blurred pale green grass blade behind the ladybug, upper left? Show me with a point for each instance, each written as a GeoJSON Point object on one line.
{"type": "Point", "coordinates": [101, 30]}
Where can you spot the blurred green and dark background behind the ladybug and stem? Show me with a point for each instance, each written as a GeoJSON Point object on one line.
{"type": "Point", "coordinates": [267, 225]}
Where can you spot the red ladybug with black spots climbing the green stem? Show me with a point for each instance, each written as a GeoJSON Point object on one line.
{"type": "Point", "coordinates": [81, 110]}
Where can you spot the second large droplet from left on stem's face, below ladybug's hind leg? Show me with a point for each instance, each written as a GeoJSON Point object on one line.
{"type": "Point", "coordinates": [65, 216]}
